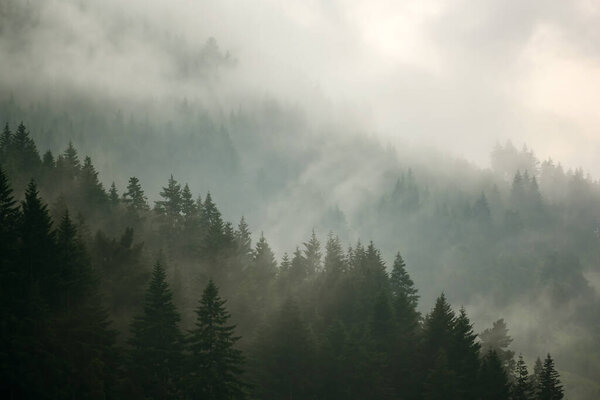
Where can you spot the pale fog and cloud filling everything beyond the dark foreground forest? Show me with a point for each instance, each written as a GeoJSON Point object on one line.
{"type": "Point", "coordinates": [303, 115]}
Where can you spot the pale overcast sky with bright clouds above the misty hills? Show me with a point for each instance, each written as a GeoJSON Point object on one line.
{"type": "Point", "coordinates": [459, 75]}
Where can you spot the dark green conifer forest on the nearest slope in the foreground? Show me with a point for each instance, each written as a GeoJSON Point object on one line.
{"type": "Point", "coordinates": [107, 296]}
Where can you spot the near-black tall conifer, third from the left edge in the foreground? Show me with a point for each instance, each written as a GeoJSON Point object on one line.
{"type": "Point", "coordinates": [81, 334]}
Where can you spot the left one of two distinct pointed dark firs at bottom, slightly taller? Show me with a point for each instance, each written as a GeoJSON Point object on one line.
{"type": "Point", "coordinates": [156, 343]}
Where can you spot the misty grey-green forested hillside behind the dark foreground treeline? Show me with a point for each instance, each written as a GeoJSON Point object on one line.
{"type": "Point", "coordinates": [514, 241]}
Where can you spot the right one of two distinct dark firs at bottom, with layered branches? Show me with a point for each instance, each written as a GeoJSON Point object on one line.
{"type": "Point", "coordinates": [215, 365]}
